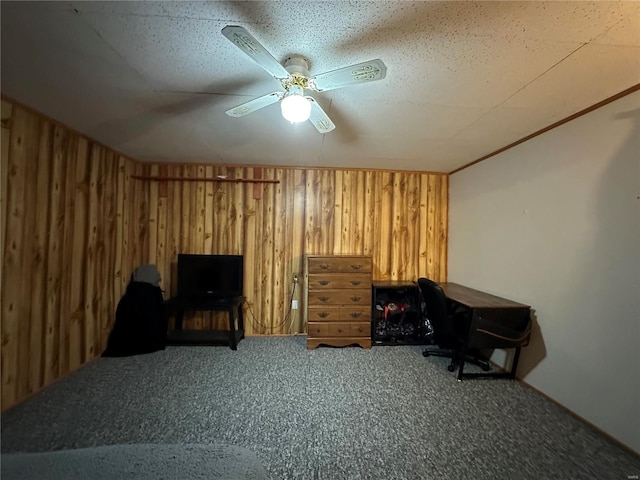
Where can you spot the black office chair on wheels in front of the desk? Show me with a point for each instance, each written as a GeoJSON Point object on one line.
{"type": "Point", "coordinates": [450, 328]}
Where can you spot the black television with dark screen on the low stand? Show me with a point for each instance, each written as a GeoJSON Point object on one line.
{"type": "Point", "coordinates": [210, 276]}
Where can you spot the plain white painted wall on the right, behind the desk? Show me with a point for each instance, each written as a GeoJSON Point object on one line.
{"type": "Point", "coordinates": [555, 223]}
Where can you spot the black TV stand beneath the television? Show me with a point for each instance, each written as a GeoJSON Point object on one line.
{"type": "Point", "coordinates": [232, 305]}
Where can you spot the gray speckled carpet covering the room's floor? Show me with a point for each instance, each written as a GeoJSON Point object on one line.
{"type": "Point", "coordinates": [331, 413]}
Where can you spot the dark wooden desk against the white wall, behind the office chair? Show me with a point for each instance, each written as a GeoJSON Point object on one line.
{"type": "Point", "coordinates": [498, 309]}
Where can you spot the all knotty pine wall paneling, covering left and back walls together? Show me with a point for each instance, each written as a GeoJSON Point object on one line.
{"type": "Point", "coordinates": [77, 220]}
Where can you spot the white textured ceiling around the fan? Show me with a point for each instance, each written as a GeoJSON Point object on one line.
{"type": "Point", "coordinates": [153, 79]}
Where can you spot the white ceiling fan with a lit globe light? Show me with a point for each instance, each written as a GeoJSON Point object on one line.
{"type": "Point", "coordinates": [294, 76]}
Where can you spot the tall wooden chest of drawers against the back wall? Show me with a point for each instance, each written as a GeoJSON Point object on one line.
{"type": "Point", "coordinates": [339, 300]}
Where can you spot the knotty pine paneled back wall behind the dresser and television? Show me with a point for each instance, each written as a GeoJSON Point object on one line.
{"type": "Point", "coordinates": [399, 218]}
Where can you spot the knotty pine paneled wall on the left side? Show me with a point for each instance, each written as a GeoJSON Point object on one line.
{"type": "Point", "coordinates": [66, 255]}
